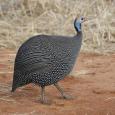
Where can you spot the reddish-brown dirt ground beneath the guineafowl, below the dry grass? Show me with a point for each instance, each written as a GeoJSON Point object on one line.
{"type": "Point", "coordinates": [93, 88]}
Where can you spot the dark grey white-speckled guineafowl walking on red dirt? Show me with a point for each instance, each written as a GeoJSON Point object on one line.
{"type": "Point", "coordinates": [46, 59]}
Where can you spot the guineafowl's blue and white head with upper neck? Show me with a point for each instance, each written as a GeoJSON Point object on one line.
{"type": "Point", "coordinates": [78, 22]}
